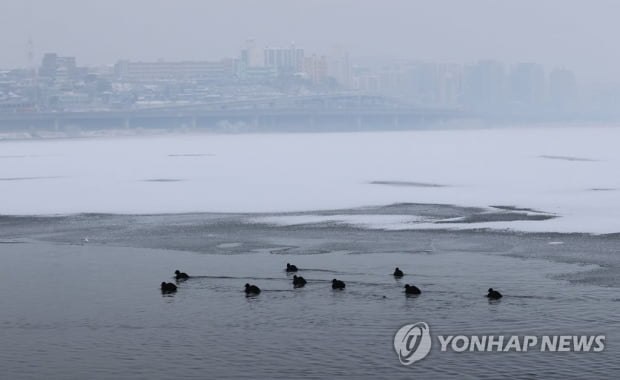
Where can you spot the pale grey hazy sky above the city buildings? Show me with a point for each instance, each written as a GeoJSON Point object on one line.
{"type": "Point", "coordinates": [579, 34]}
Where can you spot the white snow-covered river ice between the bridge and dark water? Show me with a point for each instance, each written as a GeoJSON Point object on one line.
{"type": "Point", "coordinates": [567, 172]}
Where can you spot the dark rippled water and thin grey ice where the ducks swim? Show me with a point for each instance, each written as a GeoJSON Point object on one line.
{"type": "Point", "coordinates": [73, 309]}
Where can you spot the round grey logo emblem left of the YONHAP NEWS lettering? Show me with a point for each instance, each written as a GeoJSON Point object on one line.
{"type": "Point", "coordinates": [412, 342]}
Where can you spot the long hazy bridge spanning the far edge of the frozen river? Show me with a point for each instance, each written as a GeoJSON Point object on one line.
{"type": "Point", "coordinates": [316, 112]}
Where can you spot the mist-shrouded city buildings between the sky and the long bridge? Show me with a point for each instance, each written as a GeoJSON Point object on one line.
{"type": "Point", "coordinates": [485, 86]}
